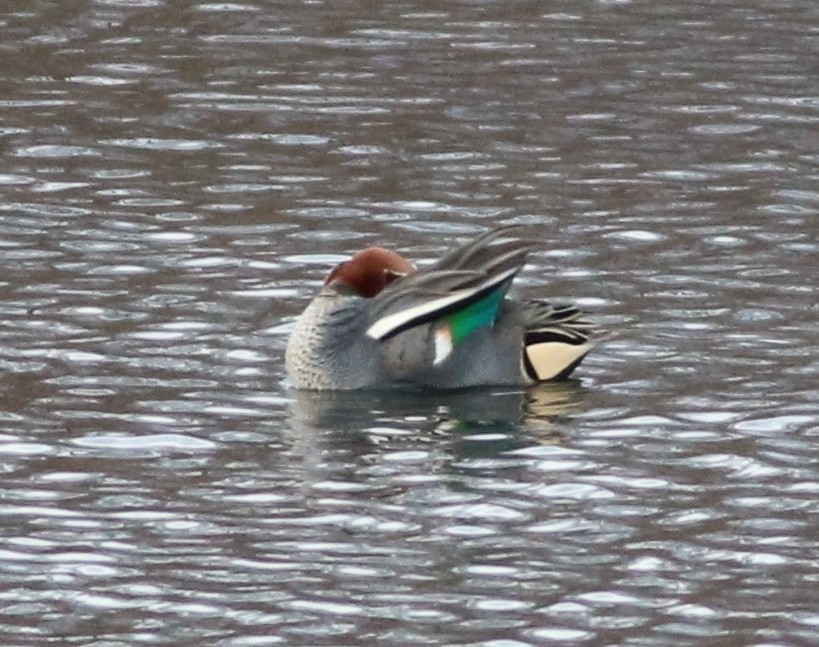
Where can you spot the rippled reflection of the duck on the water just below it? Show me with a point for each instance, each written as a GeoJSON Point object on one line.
{"type": "Point", "coordinates": [478, 422]}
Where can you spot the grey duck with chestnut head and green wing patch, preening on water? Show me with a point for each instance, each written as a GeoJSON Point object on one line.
{"type": "Point", "coordinates": [379, 321]}
